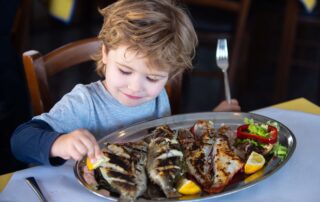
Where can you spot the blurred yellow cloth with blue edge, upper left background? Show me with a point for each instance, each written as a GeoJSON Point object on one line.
{"type": "Point", "coordinates": [62, 9]}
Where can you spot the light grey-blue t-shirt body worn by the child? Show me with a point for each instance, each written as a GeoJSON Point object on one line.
{"type": "Point", "coordinates": [93, 108]}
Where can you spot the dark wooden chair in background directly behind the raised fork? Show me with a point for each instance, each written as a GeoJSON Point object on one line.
{"type": "Point", "coordinates": [239, 10]}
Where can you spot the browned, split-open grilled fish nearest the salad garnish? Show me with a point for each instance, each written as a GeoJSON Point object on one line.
{"type": "Point", "coordinates": [208, 156]}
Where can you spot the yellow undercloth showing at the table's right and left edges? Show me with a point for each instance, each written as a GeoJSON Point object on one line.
{"type": "Point", "coordinates": [299, 104]}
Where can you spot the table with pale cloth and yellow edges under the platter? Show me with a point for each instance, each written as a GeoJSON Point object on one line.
{"type": "Point", "coordinates": [297, 180]}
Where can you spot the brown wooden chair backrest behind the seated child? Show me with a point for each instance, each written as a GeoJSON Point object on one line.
{"type": "Point", "coordinates": [39, 68]}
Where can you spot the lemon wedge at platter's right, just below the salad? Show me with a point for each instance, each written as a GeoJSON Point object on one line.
{"type": "Point", "coordinates": [254, 163]}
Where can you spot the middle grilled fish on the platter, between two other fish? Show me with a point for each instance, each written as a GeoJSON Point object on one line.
{"type": "Point", "coordinates": [165, 161]}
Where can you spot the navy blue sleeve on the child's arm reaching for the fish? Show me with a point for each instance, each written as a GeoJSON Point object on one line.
{"type": "Point", "coordinates": [31, 142]}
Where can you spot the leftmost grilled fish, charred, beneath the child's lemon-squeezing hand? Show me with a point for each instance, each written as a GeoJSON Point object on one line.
{"type": "Point", "coordinates": [124, 172]}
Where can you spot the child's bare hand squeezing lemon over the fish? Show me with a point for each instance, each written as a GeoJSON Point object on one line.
{"type": "Point", "coordinates": [76, 145]}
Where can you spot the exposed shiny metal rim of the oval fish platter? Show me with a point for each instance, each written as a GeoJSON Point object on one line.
{"type": "Point", "coordinates": [233, 120]}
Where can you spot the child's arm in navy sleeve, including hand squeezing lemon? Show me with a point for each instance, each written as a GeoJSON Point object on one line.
{"type": "Point", "coordinates": [36, 142]}
